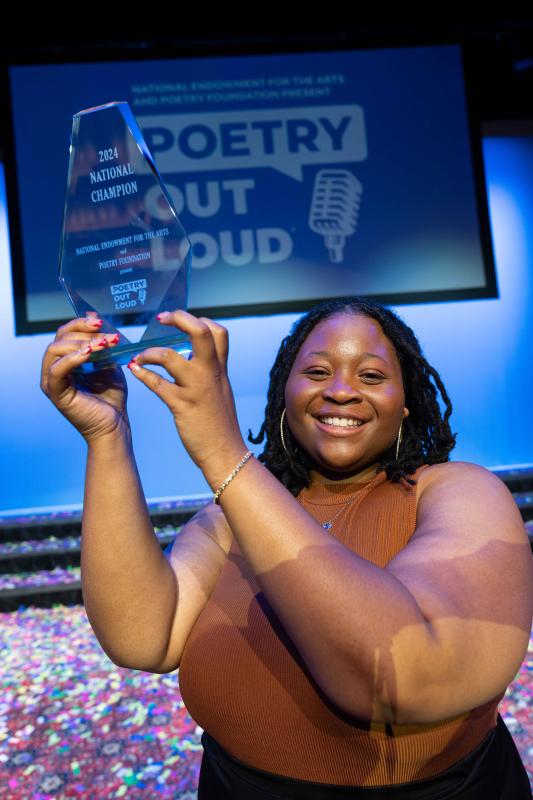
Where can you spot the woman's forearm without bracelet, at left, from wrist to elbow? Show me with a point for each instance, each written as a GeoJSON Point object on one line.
{"type": "Point", "coordinates": [129, 589]}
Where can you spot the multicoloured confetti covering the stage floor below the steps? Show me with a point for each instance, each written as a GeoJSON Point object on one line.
{"type": "Point", "coordinates": [74, 725]}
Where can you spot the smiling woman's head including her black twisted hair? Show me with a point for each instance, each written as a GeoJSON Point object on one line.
{"type": "Point", "coordinates": [366, 364]}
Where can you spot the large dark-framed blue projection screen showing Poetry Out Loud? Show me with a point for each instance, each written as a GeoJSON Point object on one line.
{"type": "Point", "coordinates": [297, 177]}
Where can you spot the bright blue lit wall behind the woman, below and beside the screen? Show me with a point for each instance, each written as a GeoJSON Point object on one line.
{"type": "Point", "coordinates": [482, 349]}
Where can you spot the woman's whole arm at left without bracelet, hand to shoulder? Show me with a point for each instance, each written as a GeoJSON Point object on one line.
{"type": "Point", "coordinates": [130, 589]}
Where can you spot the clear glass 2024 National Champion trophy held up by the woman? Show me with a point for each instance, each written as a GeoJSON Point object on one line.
{"type": "Point", "coordinates": [124, 253]}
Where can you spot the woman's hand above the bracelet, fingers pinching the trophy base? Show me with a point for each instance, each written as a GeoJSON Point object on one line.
{"type": "Point", "coordinates": [199, 397]}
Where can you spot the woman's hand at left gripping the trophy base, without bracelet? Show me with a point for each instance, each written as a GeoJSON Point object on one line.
{"type": "Point", "coordinates": [94, 403]}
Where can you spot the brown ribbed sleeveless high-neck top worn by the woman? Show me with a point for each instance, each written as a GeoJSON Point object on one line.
{"type": "Point", "coordinates": [243, 681]}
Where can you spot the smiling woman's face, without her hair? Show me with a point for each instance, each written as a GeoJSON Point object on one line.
{"type": "Point", "coordinates": [344, 395]}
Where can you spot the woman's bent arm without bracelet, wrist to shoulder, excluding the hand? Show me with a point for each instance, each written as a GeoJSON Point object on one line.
{"type": "Point", "coordinates": [141, 605]}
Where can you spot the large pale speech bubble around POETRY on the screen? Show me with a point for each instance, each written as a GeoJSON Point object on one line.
{"type": "Point", "coordinates": [284, 139]}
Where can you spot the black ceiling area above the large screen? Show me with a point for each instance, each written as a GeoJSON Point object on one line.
{"type": "Point", "coordinates": [498, 53]}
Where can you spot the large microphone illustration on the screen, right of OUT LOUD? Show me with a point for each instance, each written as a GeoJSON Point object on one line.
{"type": "Point", "coordinates": [335, 208]}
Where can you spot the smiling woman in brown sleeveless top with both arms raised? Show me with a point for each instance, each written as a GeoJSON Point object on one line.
{"type": "Point", "coordinates": [348, 613]}
